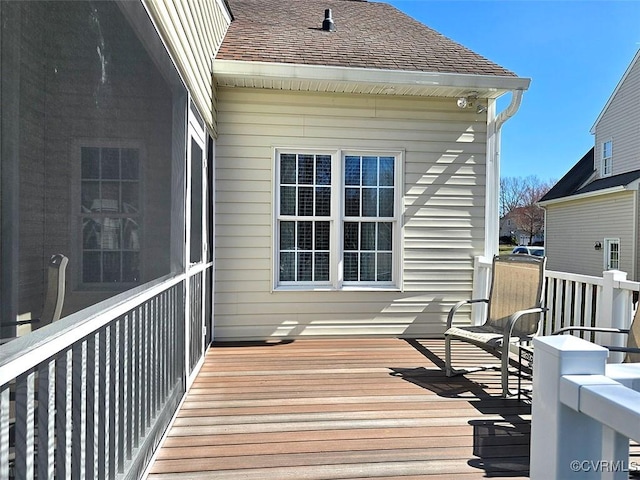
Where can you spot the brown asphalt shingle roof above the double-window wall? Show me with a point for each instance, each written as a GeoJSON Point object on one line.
{"type": "Point", "coordinates": [369, 35]}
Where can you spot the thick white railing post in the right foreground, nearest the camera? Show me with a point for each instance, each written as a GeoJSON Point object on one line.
{"type": "Point", "coordinates": [555, 440]}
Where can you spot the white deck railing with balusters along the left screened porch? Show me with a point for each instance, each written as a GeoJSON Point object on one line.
{"type": "Point", "coordinates": [91, 395]}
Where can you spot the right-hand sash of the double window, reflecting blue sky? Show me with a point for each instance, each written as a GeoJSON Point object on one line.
{"type": "Point", "coordinates": [369, 214]}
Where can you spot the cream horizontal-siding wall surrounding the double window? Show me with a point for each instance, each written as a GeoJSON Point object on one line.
{"type": "Point", "coordinates": [443, 193]}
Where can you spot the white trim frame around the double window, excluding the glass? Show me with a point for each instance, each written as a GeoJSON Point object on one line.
{"type": "Point", "coordinates": [336, 282]}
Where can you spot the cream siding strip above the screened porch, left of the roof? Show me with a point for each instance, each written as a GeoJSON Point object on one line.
{"type": "Point", "coordinates": [193, 32]}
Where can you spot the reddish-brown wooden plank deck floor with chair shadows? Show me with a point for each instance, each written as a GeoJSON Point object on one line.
{"type": "Point", "coordinates": [344, 409]}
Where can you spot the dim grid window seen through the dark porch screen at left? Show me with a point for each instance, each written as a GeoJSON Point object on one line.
{"type": "Point", "coordinates": [110, 215]}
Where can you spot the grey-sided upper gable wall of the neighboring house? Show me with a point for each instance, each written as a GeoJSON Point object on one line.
{"type": "Point", "coordinates": [620, 123]}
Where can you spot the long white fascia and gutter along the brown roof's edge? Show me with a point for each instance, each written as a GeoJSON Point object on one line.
{"type": "Point", "coordinates": [495, 84]}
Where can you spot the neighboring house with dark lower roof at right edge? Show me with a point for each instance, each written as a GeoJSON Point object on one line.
{"type": "Point", "coordinates": [592, 212]}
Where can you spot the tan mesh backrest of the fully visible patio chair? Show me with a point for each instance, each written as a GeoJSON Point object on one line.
{"type": "Point", "coordinates": [516, 284]}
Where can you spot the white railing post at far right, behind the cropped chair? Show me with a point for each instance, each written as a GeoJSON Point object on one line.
{"type": "Point", "coordinates": [614, 312]}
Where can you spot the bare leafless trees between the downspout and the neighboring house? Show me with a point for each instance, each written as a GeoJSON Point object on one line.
{"type": "Point", "coordinates": [518, 199]}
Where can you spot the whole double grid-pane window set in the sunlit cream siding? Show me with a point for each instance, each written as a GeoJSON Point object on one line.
{"type": "Point", "coordinates": [337, 219]}
